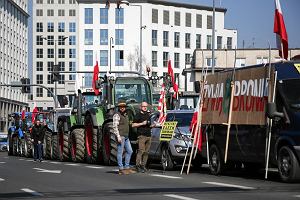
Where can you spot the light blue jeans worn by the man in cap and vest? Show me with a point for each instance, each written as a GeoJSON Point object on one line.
{"type": "Point", "coordinates": [124, 144]}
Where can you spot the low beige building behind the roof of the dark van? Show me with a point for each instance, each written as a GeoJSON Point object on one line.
{"type": "Point", "coordinates": [226, 58]}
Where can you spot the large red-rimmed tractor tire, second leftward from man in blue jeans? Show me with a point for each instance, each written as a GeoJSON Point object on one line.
{"type": "Point", "coordinates": [90, 137]}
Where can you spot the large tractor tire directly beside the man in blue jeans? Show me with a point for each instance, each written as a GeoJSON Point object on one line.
{"type": "Point", "coordinates": [109, 145]}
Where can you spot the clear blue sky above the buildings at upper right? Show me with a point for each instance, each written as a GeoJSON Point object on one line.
{"type": "Point", "coordinates": [254, 20]}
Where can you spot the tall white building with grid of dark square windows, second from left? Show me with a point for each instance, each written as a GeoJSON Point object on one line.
{"type": "Point", "coordinates": [55, 42]}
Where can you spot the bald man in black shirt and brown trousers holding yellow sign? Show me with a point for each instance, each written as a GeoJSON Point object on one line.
{"type": "Point", "coordinates": [144, 136]}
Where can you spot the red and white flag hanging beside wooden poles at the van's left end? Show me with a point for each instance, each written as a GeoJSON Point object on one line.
{"type": "Point", "coordinates": [193, 127]}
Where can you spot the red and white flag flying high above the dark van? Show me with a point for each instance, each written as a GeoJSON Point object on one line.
{"type": "Point", "coordinates": [280, 30]}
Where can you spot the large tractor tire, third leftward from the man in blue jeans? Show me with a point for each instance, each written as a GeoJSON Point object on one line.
{"type": "Point", "coordinates": [77, 146]}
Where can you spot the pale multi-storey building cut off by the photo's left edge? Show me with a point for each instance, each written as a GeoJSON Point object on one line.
{"type": "Point", "coordinates": [13, 56]}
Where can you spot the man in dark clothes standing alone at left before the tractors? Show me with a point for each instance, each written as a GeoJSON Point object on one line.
{"type": "Point", "coordinates": [37, 138]}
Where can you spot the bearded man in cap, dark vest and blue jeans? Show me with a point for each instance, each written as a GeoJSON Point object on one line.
{"type": "Point", "coordinates": [121, 130]}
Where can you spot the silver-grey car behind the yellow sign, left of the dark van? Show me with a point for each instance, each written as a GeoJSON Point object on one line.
{"type": "Point", "coordinates": [172, 153]}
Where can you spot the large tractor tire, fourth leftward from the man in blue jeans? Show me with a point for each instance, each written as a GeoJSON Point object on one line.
{"type": "Point", "coordinates": [63, 143]}
